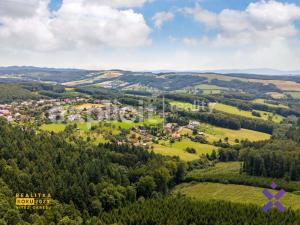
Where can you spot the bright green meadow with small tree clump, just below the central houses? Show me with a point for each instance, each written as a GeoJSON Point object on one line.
{"type": "Point", "coordinates": [178, 149]}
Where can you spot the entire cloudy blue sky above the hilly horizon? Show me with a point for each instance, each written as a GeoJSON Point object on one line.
{"type": "Point", "coordinates": [151, 34]}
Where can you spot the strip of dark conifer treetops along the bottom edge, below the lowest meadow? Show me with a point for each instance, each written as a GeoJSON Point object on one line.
{"type": "Point", "coordinates": [182, 211]}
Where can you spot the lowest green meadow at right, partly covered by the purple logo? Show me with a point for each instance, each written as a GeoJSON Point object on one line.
{"type": "Point", "coordinates": [234, 193]}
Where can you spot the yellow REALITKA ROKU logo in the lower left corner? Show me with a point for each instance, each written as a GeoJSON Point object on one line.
{"type": "Point", "coordinates": [33, 200]}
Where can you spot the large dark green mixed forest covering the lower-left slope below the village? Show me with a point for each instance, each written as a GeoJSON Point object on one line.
{"type": "Point", "coordinates": [87, 179]}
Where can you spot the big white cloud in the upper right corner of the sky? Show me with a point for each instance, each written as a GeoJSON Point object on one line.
{"type": "Point", "coordinates": [261, 22]}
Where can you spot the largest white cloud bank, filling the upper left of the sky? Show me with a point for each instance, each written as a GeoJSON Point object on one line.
{"type": "Point", "coordinates": [74, 25]}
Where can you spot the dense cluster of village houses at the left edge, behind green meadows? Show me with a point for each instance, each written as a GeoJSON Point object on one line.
{"type": "Point", "coordinates": [66, 110]}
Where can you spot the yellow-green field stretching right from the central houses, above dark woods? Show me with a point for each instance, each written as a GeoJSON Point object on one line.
{"type": "Point", "coordinates": [213, 133]}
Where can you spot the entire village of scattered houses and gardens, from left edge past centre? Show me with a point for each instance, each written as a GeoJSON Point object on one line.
{"type": "Point", "coordinates": [138, 126]}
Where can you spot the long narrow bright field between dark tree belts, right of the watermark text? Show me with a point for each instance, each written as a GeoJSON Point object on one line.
{"type": "Point", "coordinates": [234, 110]}
